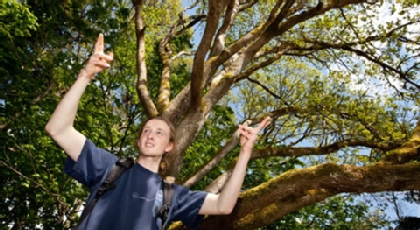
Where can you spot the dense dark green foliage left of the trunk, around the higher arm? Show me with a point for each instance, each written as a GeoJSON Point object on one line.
{"type": "Point", "coordinates": [39, 46]}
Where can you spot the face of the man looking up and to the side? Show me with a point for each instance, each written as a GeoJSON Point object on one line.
{"type": "Point", "coordinates": [154, 138]}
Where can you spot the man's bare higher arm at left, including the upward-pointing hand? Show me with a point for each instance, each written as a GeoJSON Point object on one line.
{"type": "Point", "coordinates": [60, 125]}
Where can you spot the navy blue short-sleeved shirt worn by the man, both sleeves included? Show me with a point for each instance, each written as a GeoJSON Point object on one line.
{"type": "Point", "coordinates": [131, 204]}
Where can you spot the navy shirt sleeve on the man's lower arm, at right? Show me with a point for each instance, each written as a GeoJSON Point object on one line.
{"type": "Point", "coordinates": [186, 205]}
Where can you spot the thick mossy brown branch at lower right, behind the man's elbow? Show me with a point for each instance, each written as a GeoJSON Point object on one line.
{"type": "Point", "coordinates": [294, 189]}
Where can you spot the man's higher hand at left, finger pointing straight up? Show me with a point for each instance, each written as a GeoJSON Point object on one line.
{"type": "Point", "coordinates": [98, 61]}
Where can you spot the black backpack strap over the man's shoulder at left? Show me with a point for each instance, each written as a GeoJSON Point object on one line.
{"type": "Point", "coordinates": [109, 184]}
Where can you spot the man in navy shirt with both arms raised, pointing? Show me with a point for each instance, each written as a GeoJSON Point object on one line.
{"type": "Point", "coordinates": [132, 203]}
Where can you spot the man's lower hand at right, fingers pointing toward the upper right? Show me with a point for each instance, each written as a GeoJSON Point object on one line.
{"type": "Point", "coordinates": [249, 134]}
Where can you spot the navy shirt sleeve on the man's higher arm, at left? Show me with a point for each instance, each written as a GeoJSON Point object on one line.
{"type": "Point", "coordinates": [92, 164]}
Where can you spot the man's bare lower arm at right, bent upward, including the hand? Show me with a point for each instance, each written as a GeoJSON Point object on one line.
{"type": "Point", "coordinates": [226, 200]}
